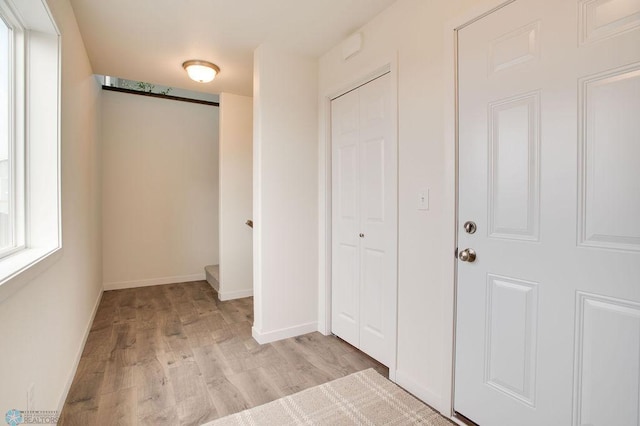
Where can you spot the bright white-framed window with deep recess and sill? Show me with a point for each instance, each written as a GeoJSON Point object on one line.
{"type": "Point", "coordinates": [29, 142]}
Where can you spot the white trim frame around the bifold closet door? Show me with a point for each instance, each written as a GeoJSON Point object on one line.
{"type": "Point", "coordinates": [388, 66]}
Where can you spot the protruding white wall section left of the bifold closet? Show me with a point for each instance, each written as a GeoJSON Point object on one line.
{"type": "Point", "coordinates": [285, 172]}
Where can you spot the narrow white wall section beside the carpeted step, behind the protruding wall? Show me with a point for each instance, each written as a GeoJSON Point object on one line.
{"type": "Point", "coordinates": [236, 196]}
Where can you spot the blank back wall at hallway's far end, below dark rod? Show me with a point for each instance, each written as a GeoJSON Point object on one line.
{"type": "Point", "coordinates": [160, 190]}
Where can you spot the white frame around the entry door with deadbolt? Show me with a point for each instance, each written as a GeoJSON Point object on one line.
{"type": "Point", "coordinates": [451, 123]}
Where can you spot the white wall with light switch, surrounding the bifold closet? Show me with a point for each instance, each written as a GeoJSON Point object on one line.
{"type": "Point", "coordinates": [413, 32]}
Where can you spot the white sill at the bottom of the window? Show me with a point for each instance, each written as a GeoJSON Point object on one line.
{"type": "Point", "coordinates": [19, 269]}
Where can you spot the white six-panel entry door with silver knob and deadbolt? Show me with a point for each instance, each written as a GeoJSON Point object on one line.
{"type": "Point", "coordinates": [548, 314]}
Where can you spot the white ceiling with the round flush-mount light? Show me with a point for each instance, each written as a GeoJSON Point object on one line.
{"type": "Point", "coordinates": [147, 40]}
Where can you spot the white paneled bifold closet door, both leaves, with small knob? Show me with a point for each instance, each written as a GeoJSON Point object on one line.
{"type": "Point", "coordinates": [364, 219]}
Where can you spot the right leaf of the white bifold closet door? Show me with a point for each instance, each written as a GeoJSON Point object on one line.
{"type": "Point", "coordinates": [378, 221]}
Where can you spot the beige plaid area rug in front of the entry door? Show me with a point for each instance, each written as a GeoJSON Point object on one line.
{"type": "Point", "coordinates": [363, 398]}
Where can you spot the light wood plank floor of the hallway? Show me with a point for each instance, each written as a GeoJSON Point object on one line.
{"type": "Point", "coordinates": [176, 355]}
